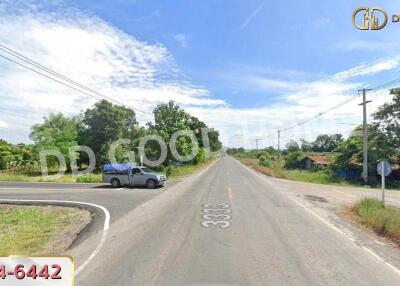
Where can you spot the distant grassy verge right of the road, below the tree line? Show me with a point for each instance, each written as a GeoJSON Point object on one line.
{"type": "Point", "coordinates": [277, 171]}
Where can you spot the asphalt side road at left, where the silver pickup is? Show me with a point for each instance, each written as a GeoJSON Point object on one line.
{"type": "Point", "coordinates": [118, 202]}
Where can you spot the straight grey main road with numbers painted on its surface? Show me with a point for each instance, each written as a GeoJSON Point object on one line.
{"type": "Point", "coordinates": [270, 239]}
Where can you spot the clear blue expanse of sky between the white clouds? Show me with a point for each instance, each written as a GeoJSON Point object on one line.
{"type": "Point", "coordinates": [224, 39]}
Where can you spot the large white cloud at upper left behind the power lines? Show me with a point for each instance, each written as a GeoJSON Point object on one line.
{"type": "Point", "coordinates": [90, 51]}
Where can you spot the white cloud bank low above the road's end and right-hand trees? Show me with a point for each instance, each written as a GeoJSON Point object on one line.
{"type": "Point", "coordinates": [299, 101]}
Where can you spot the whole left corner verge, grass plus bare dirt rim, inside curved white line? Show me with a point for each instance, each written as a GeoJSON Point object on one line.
{"type": "Point", "coordinates": [27, 230]}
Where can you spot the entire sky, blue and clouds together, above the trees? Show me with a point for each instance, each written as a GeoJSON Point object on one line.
{"type": "Point", "coordinates": [247, 68]}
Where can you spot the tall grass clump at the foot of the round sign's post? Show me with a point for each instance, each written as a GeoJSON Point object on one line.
{"type": "Point", "coordinates": [384, 221]}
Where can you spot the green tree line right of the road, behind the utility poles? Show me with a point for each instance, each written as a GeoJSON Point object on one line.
{"type": "Point", "coordinates": [345, 154]}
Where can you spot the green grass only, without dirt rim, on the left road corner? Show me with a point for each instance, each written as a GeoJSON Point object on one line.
{"type": "Point", "coordinates": [26, 230]}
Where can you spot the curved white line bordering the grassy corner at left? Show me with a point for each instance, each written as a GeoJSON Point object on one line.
{"type": "Point", "coordinates": [106, 225]}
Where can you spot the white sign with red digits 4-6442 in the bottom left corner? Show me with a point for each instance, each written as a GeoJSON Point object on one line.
{"type": "Point", "coordinates": [36, 271]}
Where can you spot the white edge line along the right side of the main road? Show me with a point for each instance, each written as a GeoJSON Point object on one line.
{"type": "Point", "coordinates": [370, 251]}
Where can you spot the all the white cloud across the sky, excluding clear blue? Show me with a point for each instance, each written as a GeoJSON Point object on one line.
{"type": "Point", "coordinates": [142, 75]}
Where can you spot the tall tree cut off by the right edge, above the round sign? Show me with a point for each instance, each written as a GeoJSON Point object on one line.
{"type": "Point", "coordinates": [388, 118]}
